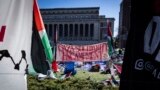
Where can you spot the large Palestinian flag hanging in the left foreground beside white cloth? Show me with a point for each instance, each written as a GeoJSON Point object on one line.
{"type": "Point", "coordinates": [41, 49]}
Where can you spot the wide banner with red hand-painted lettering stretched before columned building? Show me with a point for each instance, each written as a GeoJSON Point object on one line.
{"type": "Point", "coordinates": [95, 52]}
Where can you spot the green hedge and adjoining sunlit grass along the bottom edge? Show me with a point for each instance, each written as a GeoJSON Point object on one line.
{"type": "Point", "coordinates": [78, 82]}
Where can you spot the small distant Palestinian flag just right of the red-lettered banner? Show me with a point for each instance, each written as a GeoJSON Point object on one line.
{"type": "Point", "coordinates": [109, 38]}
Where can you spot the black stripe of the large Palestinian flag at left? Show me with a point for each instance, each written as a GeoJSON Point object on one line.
{"type": "Point", "coordinates": [37, 53]}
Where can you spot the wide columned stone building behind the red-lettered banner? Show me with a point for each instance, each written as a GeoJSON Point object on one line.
{"type": "Point", "coordinates": [78, 26]}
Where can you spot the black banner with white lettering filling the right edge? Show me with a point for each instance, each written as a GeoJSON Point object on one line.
{"type": "Point", "coordinates": [141, 70]}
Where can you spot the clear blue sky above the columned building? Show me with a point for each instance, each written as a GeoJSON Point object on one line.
{"type": "Point", "coordinates": [110, 8]}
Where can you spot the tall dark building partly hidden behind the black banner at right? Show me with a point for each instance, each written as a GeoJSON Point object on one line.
{"type": "Point", "coordinates": [124, 22]}
